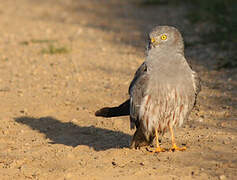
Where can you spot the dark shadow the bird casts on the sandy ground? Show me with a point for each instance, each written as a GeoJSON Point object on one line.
{"type": "Point", "coordinates": [73, 135]}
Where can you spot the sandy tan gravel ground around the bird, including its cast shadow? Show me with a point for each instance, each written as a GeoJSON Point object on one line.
{"type": "Point", "coordinates": [47, 125]}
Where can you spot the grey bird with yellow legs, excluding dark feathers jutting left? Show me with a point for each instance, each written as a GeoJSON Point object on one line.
{"type": "Point", "coordinates": [164, 89]}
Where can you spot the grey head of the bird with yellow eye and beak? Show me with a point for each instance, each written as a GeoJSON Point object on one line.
{"type": "Point", "coordinates": [166, 38]}
